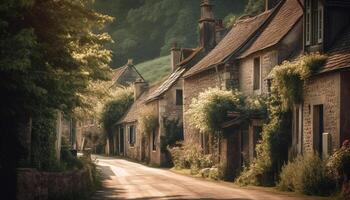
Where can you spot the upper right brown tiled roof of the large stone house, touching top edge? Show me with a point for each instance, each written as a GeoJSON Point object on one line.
{"type": "Point", "coordinates": [286, 17]}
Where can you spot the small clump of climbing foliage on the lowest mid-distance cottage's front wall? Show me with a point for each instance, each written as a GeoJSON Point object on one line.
{"type": "Point", "coordinates": [148, 121]}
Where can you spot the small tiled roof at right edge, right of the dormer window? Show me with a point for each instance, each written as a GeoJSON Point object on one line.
{"type": "Point", "coordinates": [339, 54]}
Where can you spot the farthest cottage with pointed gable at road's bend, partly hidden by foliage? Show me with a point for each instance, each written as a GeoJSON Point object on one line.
{"type": "Point", "coordinates": [87, 130]}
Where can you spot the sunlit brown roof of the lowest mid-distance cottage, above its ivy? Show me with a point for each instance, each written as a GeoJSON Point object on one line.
{"type": "Point", "coordinates": [136, 108]}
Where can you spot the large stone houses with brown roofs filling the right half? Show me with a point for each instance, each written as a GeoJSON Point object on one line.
{"type": "Point", "coordinates": [244, 59]}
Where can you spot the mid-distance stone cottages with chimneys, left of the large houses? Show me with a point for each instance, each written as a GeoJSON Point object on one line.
{"type": "Point", "coordinates": [164, 100]}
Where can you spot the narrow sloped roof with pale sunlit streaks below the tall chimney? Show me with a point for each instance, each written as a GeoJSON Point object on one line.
{"type": "Point", "coordinates": [171, 80]}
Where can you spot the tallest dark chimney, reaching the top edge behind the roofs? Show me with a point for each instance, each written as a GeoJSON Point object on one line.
{"type": "Point", "coordinates": [207, 26]}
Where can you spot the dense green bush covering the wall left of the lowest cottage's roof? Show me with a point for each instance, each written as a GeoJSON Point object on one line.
{"type": "Point", "coordinates": [114, 110]}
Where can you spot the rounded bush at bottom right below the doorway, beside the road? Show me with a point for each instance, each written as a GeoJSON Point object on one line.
{"type": "Point", "coordinates": [307, 175]}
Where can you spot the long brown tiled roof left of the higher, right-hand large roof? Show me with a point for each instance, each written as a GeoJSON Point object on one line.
{"type": "Point", "coordinates": [236, 37]}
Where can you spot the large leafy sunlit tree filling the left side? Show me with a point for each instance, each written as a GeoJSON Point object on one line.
{"type": "Point", "coordinates": [49, 54]}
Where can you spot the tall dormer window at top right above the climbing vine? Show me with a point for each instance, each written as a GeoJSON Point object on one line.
{"type": "Point", "coordinates": [314, 21]}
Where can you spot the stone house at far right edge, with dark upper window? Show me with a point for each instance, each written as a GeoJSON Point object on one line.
{"type": "Point", "coordinates": [322, 122]}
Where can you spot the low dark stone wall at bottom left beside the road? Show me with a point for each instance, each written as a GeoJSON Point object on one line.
{"type": "Point", "coordinates": [32, 184]}
